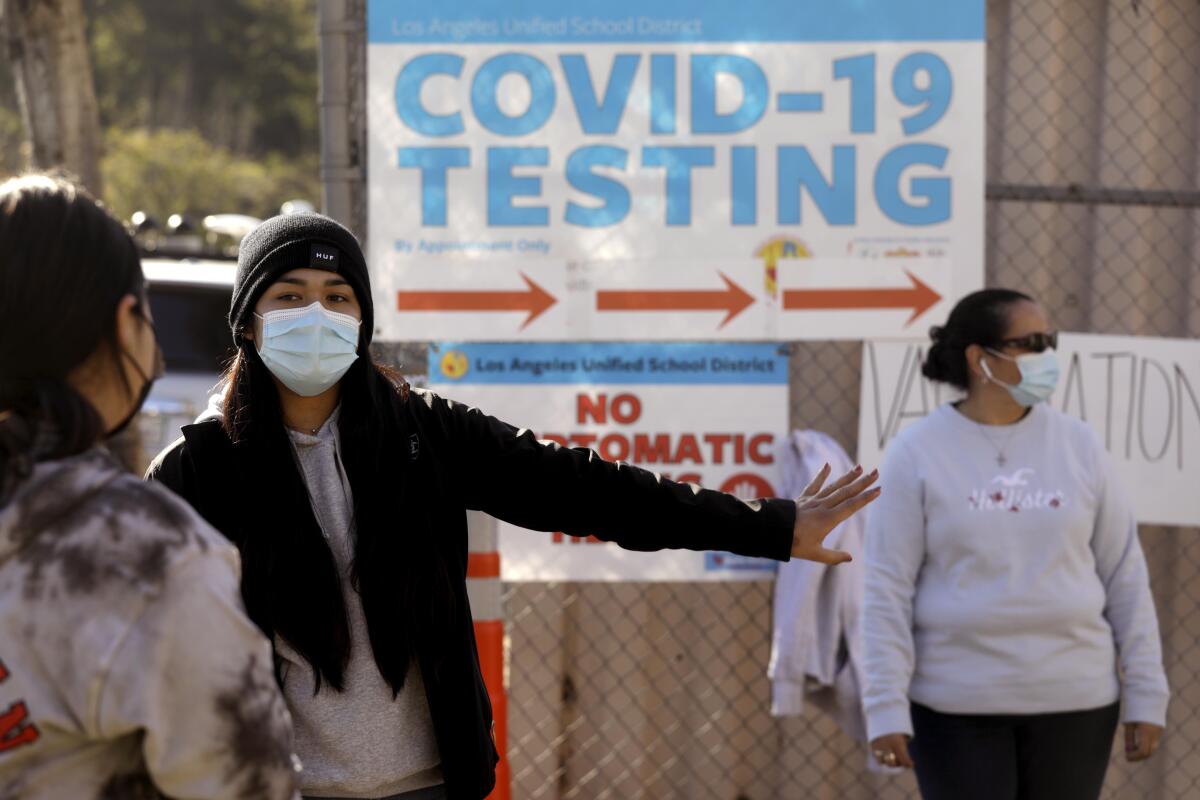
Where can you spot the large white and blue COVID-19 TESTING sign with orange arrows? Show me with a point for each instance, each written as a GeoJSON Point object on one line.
{"type": "Point", "coordinates": [778, 170]}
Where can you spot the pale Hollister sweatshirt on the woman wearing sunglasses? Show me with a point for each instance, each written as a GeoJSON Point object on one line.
{"type": "Point", "coordinates": [1011, 590]}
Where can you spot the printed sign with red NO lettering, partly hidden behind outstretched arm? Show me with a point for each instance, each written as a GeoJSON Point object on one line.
{"type": "Point", "coordinates": [711, 414]}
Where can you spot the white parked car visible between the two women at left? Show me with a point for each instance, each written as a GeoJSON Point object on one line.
{"type": "Point", "coordinates": [190, 302]}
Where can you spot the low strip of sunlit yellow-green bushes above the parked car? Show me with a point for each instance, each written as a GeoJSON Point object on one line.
{"type": "Point", "coordinates": [178, 172]}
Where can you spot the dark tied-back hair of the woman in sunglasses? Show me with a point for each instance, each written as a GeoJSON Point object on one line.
{"type": "Point", "coordinates": [980, 318]}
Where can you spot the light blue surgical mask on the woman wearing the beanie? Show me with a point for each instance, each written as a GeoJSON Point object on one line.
{"type": "Point", "coordinates": [309, 350]}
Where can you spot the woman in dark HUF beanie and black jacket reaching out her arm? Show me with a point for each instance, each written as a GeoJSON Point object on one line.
{"type": "Point", "coordinates": [346, 492]}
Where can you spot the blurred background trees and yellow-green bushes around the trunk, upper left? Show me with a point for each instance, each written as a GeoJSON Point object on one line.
{"type": "Point", "coordinates": [209, 107]}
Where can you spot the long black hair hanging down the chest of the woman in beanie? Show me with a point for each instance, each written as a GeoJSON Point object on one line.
{"type": "Point", "coordinates": [291, 582]}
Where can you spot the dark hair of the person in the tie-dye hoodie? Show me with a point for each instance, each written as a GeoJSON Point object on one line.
{"type": "Point", "coordinates": [65, 266]}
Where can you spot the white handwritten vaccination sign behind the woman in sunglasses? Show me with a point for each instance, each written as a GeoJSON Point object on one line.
{"type": "Point", "coordinates": [1141, 395]}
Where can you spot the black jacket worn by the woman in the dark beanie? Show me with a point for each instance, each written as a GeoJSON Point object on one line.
{"type": "Point", "coordinates": [482, 464]}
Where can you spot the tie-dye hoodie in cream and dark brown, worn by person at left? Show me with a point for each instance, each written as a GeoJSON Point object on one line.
{"type": "Point", "coordinates": [128, 666]}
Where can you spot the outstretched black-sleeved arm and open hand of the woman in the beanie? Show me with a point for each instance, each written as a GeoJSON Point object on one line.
{"type": "Point", "coordinates": [543, 486]}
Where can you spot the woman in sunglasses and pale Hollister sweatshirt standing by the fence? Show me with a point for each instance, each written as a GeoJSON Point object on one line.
{"type": "Point", "coordinates": [1007, 607]}
